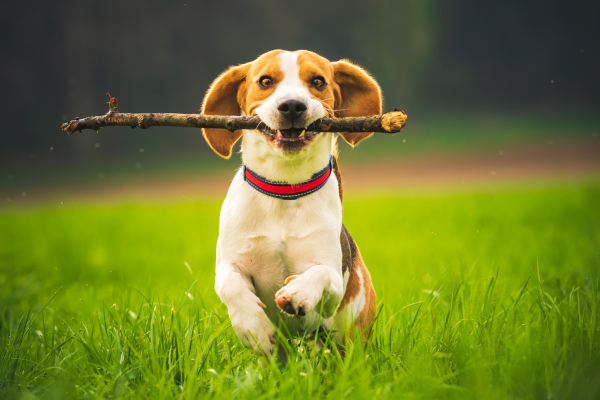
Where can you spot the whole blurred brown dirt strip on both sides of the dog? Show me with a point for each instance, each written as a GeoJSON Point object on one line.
{"type": "Point", "coordinates": [533, 162]}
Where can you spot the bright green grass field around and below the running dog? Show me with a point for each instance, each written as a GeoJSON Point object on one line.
{"type": "Point", "coordinates": [500, 302]}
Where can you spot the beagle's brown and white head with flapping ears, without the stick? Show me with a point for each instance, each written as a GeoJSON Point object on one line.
{"type": "Point", "coordinates": [289, 91]}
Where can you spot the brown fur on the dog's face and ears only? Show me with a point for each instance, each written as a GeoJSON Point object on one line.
{"type": "Point", "coordinates": [350, 92]}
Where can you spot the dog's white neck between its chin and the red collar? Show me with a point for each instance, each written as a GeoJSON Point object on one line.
{"type": "Point", "coordinates": [265, 161]}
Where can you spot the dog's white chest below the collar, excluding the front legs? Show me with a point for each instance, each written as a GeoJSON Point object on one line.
{"type": "Point", "coordinates": [269, 239]}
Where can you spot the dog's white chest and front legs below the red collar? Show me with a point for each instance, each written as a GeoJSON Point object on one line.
{"type": "Point", "coordinates": [262, 241]}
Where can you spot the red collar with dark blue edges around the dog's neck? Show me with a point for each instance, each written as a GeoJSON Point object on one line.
{"type": "Point", "coordinates": [286, 191]}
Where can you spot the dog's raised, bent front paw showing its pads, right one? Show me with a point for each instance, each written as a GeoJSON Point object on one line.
{"type": "Point", "coordinates": [302, 293]}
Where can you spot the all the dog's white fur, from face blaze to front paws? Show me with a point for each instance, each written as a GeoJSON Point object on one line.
{"type": "Point", "coordinates": [264, 240]}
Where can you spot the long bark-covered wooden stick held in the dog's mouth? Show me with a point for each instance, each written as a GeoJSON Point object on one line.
{"type": "Point", "coordinates": [391, 122]}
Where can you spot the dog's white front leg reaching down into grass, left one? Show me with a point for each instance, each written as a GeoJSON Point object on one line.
{"type": "Point", "coordinates": [248, 319]}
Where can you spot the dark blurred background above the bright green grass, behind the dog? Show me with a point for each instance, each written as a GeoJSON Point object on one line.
{"type": "Point", "coordinates": [494, 90]}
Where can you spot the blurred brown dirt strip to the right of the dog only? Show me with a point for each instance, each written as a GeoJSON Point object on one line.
{"type": "Point", "coordinates": [544, 161]}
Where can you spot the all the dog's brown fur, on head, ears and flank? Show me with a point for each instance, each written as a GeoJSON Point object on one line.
{"type": "Point", "coordinates": [350, 92]}
